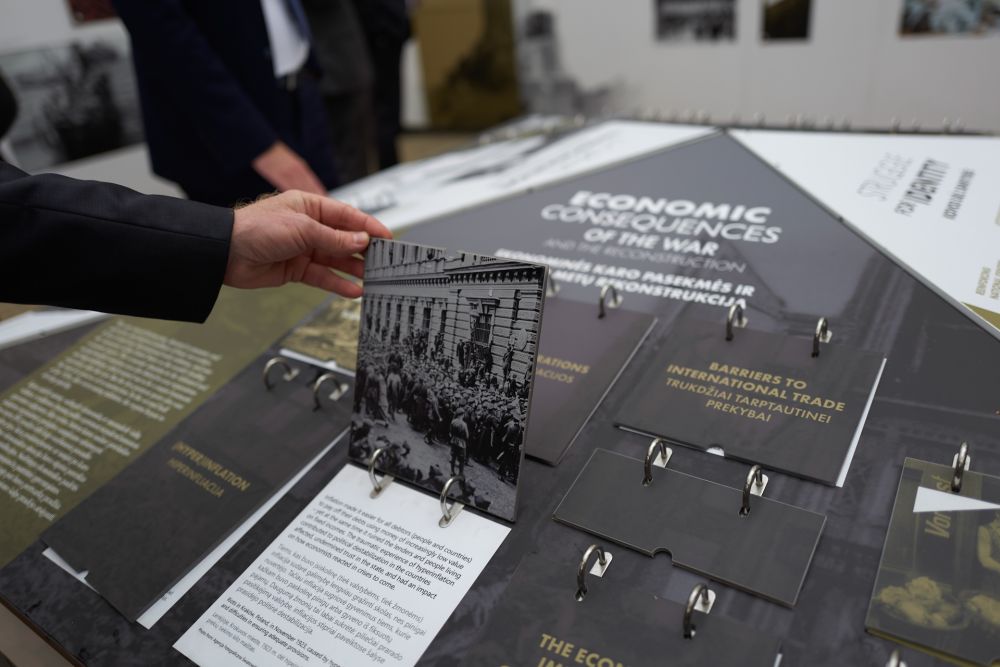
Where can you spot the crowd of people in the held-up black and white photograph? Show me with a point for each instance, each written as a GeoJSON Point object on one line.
{"type": "Point", "coordinates": [460, 403]}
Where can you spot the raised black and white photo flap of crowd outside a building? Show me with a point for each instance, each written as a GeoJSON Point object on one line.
{"type": "Point", "coordinates": [446, 361]}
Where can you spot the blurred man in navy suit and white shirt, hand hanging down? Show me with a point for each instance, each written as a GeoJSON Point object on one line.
{"type": "Point", "coordinates": [230, 103]}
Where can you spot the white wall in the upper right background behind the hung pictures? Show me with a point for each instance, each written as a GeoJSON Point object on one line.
{"type": "Point", "coordinates": [854, 66]}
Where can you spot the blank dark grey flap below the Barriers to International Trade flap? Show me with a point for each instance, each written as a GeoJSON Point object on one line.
{"type": "Point", "coordinates": [697, 522]}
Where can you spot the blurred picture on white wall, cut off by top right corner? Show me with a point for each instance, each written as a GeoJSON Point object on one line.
{"type": "Point", "coordinates": [950, 17]}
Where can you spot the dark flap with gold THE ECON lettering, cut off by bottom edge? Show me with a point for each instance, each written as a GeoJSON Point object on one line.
{"type": "Point", "coordinates": [613, 621]}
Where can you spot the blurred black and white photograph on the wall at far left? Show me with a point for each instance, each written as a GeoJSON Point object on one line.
{"type": "Point", "coordinates": [74, 100]}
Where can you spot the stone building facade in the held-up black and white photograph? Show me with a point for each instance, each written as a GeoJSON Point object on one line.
{"type": "Point", "coordinates": [468, 308]}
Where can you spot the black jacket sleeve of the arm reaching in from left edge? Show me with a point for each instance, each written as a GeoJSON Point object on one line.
{"type": "Point", "coordinates": [83, 244]}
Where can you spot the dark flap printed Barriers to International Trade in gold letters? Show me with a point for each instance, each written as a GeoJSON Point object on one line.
{"type": "Point", "coordinates": [814, 446]}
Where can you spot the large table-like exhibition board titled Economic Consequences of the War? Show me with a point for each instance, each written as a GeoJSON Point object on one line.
{"type": "Point", "coordinates": [731, 423]}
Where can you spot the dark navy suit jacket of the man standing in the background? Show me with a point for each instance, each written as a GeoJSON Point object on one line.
{"type": "Point", "coordinates": [210, 101]}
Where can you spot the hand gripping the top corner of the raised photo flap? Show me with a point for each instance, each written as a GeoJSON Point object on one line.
{"type": "Point", "coordinates": [299, 237]}
